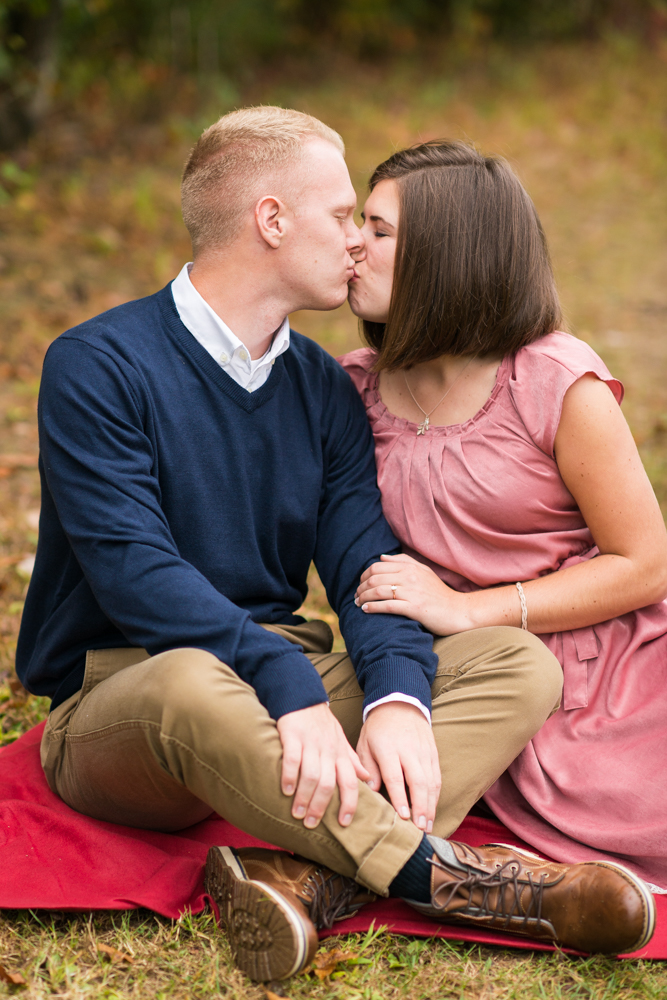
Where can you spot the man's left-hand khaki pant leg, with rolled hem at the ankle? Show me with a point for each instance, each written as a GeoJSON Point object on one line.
{"type": "Point", "coordinates": [163, 741]}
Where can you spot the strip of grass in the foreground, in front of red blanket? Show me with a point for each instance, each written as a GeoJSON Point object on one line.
{"type": "Point", "coordinates": [137, 954]}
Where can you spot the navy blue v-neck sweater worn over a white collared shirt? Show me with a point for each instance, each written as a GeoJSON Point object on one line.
{"type": "Point", "coordinates": [180, 510]}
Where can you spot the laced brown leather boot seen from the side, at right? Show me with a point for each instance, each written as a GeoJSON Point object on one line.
{"type": "Point", "coordinates": [596, 906]}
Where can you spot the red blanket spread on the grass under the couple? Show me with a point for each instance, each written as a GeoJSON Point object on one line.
{"type": "Point", "coordinates": [54, 858]}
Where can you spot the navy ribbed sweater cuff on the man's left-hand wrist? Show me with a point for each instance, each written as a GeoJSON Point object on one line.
{"type": "Point", "coordinates": [289, 684]}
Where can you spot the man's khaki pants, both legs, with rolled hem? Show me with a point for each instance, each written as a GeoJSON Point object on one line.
{"type": "Point", "coordinates": [160, 742]}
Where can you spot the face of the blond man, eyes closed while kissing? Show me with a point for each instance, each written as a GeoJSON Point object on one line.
{"type": "Point", "coordinates": [316, 259]}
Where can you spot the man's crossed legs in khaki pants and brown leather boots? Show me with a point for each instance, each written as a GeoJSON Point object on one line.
{"type": "Point", "coordinates": [161, 742]}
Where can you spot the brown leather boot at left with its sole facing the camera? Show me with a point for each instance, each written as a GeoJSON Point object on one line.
{"type": "Point", "coordinates": [273, 903]}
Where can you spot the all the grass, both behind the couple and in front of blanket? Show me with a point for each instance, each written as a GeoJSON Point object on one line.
{"type": "Point", "coordinates": [89, 217]}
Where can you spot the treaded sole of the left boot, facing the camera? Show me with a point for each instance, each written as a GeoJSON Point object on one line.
{"type": "Point", "coordinates": [267, 936]}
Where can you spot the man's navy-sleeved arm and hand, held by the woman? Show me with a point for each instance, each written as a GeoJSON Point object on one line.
{"type": "Point", "coordinates": [391, 656]}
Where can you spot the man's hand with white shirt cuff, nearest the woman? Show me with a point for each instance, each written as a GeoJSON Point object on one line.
{"type": "Point", "coordinates": [397, 746]}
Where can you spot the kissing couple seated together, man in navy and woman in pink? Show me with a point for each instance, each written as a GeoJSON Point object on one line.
{"type": "Point", "coordinates": [501, 594]}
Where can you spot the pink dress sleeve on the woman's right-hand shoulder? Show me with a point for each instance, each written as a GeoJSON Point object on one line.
{"type": "Point", "coordinates": [542, 373]}
